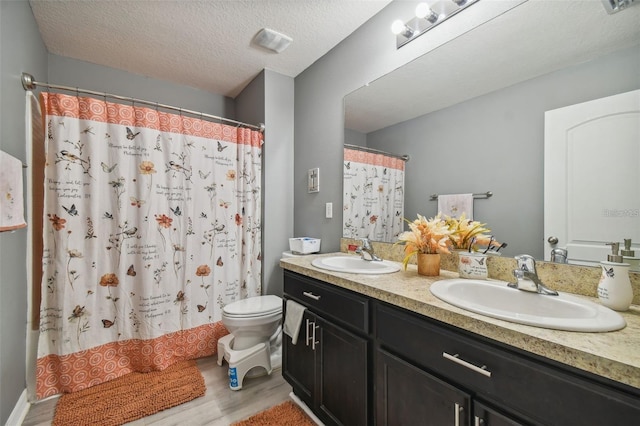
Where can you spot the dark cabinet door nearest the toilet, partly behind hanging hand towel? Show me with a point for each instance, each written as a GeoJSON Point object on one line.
{"type": "Point", "coordinates": [299, 360]}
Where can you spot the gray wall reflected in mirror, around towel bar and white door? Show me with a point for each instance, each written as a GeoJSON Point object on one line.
{"type": "Point", "coordinates": [496, 143]}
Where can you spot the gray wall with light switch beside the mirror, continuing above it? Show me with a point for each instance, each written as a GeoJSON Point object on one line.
{"type": "Point", "coordinates": [365, 55]}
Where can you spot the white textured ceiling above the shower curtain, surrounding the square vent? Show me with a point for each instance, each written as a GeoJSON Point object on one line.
{"type": "Point", "coordinates": [202, 44]}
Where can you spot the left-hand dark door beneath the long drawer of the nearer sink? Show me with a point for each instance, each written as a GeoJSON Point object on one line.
{"type": "Point", "coordinates": [406, 395]}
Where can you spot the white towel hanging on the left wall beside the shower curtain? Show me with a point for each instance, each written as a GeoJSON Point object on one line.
{"type": "Point", "coordinates": [11, 197]}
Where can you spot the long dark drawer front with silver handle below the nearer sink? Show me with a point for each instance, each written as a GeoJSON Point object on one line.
{"type": "Point", "coordinates": [541, 392]}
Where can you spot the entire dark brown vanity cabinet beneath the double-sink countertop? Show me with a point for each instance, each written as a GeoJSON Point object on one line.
{"type": "Point", "coordinates": [360, 361]}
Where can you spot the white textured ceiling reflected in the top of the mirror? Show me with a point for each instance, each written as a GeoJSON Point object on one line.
{"type": "Point", "coordinates": [532, 39]}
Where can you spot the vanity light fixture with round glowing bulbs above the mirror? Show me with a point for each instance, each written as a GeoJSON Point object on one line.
{"type": "Point", "coordinates": [428, 15]}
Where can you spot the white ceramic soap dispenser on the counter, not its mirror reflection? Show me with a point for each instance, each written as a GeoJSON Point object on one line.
{"type": "Point", "coordinates": [614, 288]}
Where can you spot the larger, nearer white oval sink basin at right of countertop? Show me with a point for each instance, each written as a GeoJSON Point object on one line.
{"type": "Point", "coordinates": [495, 299]}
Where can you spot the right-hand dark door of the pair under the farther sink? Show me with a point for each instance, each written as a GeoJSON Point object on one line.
{"type": "Point", "coordinates": [342, 375]}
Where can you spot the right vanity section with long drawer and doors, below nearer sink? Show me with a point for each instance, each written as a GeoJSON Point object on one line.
{"type": "Point", "coordinates": [449, 377]}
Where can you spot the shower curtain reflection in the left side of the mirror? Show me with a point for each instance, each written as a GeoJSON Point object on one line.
{"type": "Point", "coordinates": [373, 204]}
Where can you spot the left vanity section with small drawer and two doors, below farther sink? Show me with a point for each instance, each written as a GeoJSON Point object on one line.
{"type": "Point", "coordinates": [327, 367]}
